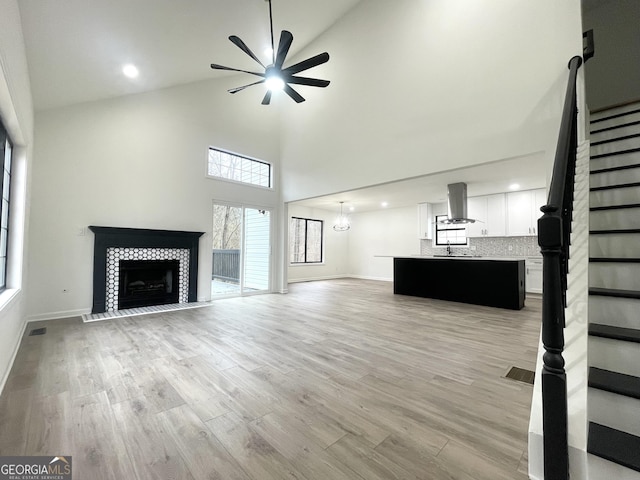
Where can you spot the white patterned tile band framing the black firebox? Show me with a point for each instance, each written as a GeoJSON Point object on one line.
{"type": "Point", "coordinates": [116, 254]}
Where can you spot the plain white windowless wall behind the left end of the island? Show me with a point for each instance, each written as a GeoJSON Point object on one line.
{"type": "Point", "coordinates": [377, 236]}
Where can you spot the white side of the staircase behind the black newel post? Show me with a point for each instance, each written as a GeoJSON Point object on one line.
{"type": "Point", "coordinates": [576, 338]}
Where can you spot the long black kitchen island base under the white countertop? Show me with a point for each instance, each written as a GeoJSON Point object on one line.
{"type": "Point", "coordinates": [479, 281]}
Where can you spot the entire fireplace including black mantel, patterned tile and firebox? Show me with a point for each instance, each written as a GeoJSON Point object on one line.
{"type": "Point", "coordinates": [160, 267]}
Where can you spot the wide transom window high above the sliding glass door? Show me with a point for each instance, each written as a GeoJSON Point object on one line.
{"type": "Point", "coordinates": [230, 166]}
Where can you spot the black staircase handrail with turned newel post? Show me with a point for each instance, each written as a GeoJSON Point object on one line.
{"type": "Point", "coordinates": [554, 233]}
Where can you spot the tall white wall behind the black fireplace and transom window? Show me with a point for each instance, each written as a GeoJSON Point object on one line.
{"type": "Point", "coordinates": [137, 161]}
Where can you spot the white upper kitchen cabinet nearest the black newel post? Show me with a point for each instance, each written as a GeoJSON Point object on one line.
{"type": "Point", "coordinates": [523, 211]}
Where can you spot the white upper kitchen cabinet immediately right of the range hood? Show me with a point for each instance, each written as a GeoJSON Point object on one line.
{"type": "Point", "coordinates": [490, 213]}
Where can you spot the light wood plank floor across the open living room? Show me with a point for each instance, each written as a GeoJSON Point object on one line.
{"type": "Point", "coordinates": [336, 380]}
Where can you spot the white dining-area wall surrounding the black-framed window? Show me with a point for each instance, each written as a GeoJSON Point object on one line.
{"type": "Point", "coordinates": [336, 247]}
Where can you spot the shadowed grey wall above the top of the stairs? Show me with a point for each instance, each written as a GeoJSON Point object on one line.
{"type": "Point", "coordinates": [613, 74]}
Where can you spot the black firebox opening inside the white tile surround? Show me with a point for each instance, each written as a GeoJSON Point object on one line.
{"type": "Point", "coordinates": [148, 282]}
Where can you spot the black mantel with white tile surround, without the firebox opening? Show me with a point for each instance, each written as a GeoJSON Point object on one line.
{"type": "Point", "coordinates": [115, 244]}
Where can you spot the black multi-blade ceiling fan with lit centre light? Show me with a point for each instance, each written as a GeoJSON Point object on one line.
{"type": "Point", "coordinates": [275, 76]}
